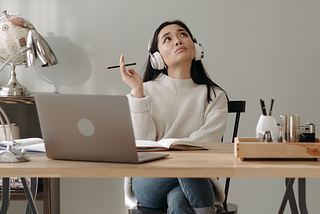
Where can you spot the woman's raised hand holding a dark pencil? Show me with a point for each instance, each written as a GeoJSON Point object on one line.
{"type": "Point", "coordinates": [132, 78]}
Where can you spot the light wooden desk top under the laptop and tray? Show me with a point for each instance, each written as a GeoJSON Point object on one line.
{"type": "Point", "coordinates": [218, 161]}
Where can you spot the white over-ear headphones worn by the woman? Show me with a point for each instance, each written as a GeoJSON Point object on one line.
{"type": "Point", "coordinates": [156, 59]}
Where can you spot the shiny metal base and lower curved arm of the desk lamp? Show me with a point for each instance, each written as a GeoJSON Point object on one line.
{"type": "Point", "coordinates": [10, 155]}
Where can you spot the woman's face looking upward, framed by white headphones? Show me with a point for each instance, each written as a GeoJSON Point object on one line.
{"type": "Point", "coordinates": [175, 45]}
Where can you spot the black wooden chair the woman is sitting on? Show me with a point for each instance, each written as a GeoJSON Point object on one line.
{"type": "Point", "coordinates": [236, 107]}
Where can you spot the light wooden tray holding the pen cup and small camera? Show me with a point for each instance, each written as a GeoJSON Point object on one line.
{"type": "Point", "coordinates": [248, 148]}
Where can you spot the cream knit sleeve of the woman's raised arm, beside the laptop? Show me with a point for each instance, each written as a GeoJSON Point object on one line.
{"type": "Point", "coordinates": [142, 122]}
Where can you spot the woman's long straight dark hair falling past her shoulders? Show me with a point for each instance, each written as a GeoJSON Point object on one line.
{"type": "Point", "coordinates": [198, 73]}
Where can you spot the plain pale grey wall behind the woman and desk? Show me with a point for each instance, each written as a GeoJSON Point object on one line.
{"type": "Point", "coordinates": [253, 49]}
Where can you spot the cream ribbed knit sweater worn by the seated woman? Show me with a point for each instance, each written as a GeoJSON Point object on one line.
{"type": "Point", "coordinates": [178, 108]}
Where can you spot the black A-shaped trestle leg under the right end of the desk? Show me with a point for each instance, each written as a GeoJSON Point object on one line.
{"type": "Point", "coordinates": [289, 195]}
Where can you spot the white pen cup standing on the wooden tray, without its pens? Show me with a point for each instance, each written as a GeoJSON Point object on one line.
{"type": "Point", "coordinates": [267, 129]}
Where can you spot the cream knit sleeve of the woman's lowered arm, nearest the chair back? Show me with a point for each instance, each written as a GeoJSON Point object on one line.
{"type": "Point", "coordinates": [215, 119]}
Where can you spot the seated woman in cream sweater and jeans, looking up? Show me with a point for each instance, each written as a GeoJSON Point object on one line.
{"type": "Point", "coordinates": [175, 99]}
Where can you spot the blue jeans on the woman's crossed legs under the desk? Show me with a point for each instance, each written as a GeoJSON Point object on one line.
{"type": "Point", "coordinates": [180, 195]}
